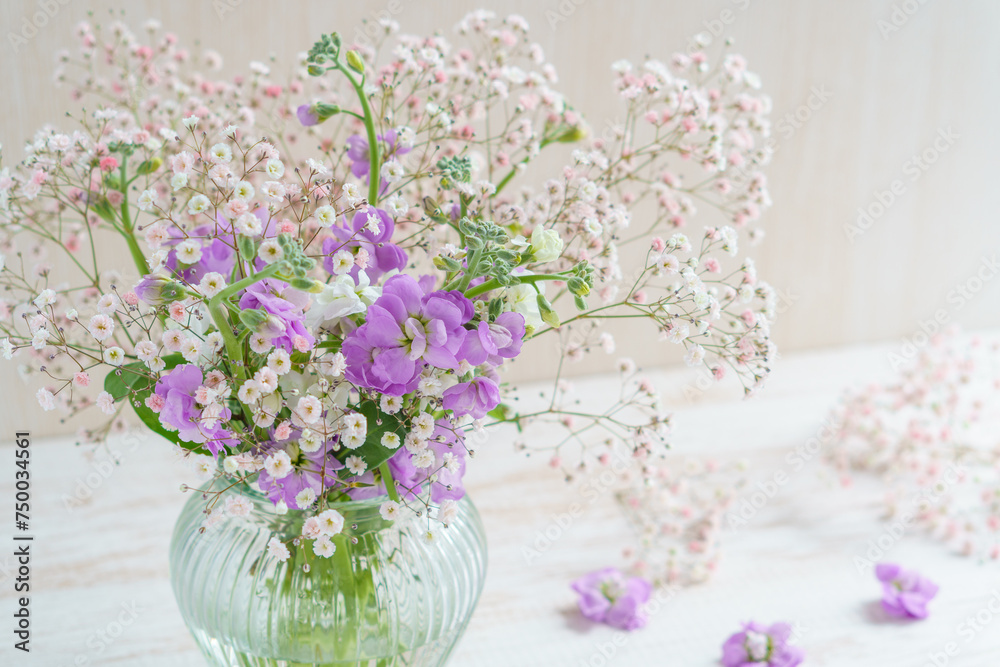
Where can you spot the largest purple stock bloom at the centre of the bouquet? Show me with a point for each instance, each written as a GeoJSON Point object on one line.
{"type": "Point", "coordinates": [406, 330]}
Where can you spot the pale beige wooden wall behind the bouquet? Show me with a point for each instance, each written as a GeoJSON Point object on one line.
{"type": "Point", "coordinates": [898, 72]}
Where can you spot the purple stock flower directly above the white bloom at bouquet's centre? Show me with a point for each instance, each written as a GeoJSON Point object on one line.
{"type": "Point", "coordinates": [383, 255]}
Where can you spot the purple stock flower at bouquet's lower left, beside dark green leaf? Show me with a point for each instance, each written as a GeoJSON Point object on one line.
{"type": "Point", "coordinates": [180, 411]}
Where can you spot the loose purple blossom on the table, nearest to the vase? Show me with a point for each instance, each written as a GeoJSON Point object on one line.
{"type": "Point", "coordinates": [607, 596]}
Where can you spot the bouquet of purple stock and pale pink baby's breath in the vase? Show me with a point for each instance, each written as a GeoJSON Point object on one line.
{"type": "Point", "coordinates": [328, 270]}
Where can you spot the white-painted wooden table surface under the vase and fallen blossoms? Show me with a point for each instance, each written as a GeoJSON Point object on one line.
{"type": "Point", "coordinates": [100, 567]}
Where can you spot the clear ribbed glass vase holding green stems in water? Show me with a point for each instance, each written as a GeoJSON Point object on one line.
{"type": "Point", "coordinates": [387, 597]}
